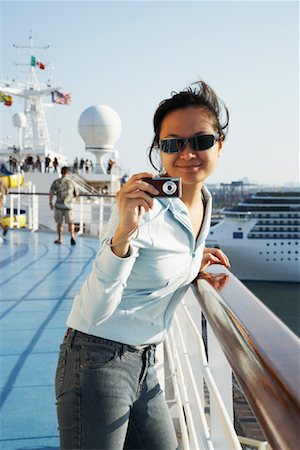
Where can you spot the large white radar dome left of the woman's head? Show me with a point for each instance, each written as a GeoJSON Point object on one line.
{"type": "Point", "coordinates": [100, 127]}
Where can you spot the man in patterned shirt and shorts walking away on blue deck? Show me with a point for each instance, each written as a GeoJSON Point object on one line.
{"type": "Point", "coordinates": [65, 190]}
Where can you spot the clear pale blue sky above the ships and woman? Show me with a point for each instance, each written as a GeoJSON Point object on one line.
{"type": "Point", "coordinates": [131, 55]}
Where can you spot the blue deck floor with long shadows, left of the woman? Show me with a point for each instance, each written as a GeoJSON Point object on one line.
{"type": "Point", "coordinates": [38, 280]}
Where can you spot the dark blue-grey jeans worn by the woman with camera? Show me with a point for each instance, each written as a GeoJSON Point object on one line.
{"type": "Point", "coordinates": [109, 398]}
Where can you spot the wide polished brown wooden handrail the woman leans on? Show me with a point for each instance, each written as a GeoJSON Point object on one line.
{"type": "Point", "coordinates": [263, 353]}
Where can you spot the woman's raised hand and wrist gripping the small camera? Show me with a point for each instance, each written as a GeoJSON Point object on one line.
{"type": "Point", "coordinates": [133, 200]}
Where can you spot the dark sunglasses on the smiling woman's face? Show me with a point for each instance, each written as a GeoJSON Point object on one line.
{"type": "Point", "coordinates": [198, 143]}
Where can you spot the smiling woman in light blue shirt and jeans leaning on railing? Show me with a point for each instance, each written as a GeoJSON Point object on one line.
{"type": "Point", "coordinates": [108, 396]}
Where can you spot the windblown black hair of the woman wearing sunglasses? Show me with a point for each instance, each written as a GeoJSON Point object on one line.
{"type": "Point", "coordinates": [198, 95]}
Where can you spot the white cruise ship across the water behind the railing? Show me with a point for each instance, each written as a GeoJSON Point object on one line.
{"type": "Point", "coordinates": [261, 236]}
